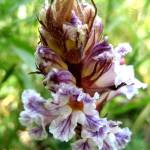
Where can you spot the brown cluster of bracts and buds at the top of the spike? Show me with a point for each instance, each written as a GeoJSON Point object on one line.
{"type": "Point", "coordinates": [68, 40]}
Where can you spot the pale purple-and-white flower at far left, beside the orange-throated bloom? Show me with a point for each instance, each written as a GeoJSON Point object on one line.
{"type": "Point", "coordinates": [35, 116]}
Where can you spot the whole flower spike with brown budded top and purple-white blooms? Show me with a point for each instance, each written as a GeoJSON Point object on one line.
{"type": "Point", "coordinates": [82, 71]}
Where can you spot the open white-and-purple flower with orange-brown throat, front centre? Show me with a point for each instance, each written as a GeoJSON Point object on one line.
{"type": "Point", "coordinates": [73, 111]}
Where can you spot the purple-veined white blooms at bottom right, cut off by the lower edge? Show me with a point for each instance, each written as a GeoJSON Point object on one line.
{"type": "Point", "coordinates": [108, 137]}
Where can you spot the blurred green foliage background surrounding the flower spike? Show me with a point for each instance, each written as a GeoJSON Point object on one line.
{"type": "Point", "coordinates": [124, 20]}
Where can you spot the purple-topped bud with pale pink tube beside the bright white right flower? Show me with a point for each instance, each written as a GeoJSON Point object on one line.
{"type": "Point", "coordinates": [98, 69]}
